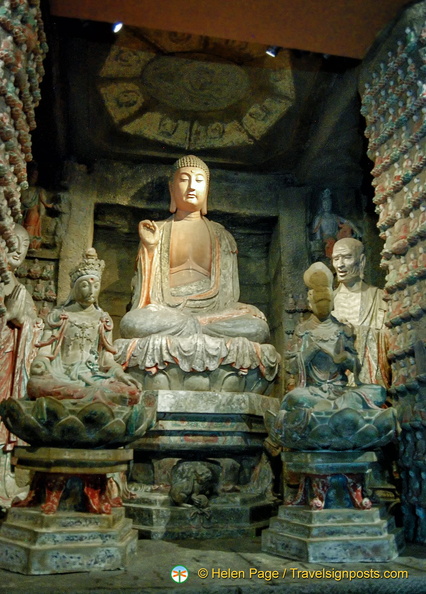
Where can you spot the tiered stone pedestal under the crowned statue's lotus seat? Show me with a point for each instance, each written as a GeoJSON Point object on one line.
{"type": "Point", "coordinates": [48, 533]}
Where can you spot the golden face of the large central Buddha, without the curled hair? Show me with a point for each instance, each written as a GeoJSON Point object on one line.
{"type": "Point", "coordinates": [189, 189]}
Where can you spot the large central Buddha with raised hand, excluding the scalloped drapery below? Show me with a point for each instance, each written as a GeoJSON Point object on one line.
{"type": "Point", "coordinates": [186, 280]}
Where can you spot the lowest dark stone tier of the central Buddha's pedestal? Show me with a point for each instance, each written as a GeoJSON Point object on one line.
{"type": "Point", "coordinates": [231, 516]}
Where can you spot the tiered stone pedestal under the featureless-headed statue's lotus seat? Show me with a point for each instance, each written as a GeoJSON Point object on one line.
{"type": "Point", "coordinates": [348, 529]}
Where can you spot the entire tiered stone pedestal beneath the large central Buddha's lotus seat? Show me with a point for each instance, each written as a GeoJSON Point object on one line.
{"type": "Point", "coordinates": [201, 471]}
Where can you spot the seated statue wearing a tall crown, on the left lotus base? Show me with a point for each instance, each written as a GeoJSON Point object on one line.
{"type": "Point", "coordinates": [76, 357]}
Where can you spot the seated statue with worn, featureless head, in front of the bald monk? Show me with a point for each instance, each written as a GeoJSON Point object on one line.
{"type": "Point", "coordinates": [321, 354]}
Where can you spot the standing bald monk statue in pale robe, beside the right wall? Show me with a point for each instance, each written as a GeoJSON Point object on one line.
{"type": "Point", "coordinates": [362, 306]}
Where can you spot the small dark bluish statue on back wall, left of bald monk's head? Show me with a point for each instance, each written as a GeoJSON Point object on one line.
{"type": "Point", "coordinates": [327, 228]}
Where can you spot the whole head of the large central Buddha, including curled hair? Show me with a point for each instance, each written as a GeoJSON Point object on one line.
{"type": "Point", "coordinates": [189, 185]}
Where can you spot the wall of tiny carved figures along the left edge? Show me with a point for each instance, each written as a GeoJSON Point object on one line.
{"type": "Point", "coordinates": [22, 50]}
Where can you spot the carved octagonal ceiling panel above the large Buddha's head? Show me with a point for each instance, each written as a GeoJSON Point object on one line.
{"type": "Point", "coordinates": [194, 93]}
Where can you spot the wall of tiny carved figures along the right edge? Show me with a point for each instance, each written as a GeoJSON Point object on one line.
{"type": "Point", "coordinates": [393, 90]}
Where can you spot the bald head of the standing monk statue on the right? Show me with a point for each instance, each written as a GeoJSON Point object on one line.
{"type": "Point", "coordinates": [348, 260]}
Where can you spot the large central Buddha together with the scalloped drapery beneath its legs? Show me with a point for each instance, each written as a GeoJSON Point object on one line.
{"type": "Point", "coordinates": [185, 308]}
